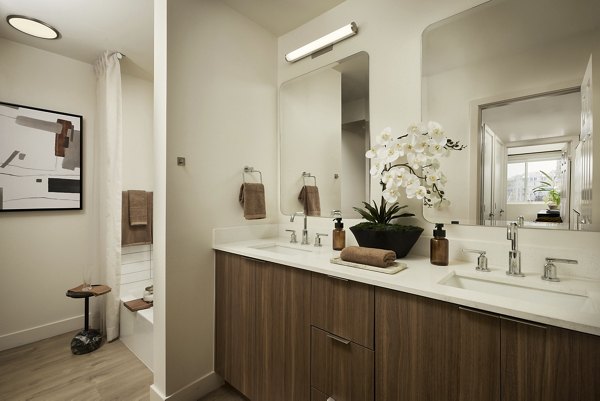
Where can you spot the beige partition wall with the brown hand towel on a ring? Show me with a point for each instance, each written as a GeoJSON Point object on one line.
{"type": "Point", "coordinates": [221, 114]}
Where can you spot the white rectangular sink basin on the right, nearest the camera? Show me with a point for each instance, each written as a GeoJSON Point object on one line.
{"type": "Point", "coordinates": [542, 296]}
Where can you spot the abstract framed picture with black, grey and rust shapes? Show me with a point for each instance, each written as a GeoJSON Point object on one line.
{"type": "Point", "coordinates": [40, 159]}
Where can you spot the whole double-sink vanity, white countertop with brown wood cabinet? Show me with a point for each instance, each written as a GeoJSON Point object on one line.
{"type": "Point", "coordinates": [292, 326]}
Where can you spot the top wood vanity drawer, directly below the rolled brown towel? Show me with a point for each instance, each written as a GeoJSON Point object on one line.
{"type": "Point", "coordinates": [344, 308]}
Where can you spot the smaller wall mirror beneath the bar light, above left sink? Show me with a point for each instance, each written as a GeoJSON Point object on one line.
{"type": "Point", "coordinates": [324, 134]}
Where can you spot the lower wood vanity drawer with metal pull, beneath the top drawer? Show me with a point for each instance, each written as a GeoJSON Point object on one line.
{"type": "Point", "coordinates": [340, 369]}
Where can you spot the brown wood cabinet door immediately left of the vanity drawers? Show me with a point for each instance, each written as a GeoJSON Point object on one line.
{"type": "Point", "coordinates": [282, 333]}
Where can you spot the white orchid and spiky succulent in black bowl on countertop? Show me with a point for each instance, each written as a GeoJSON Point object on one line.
{"type": "Point", "coordinates": [408, 164]}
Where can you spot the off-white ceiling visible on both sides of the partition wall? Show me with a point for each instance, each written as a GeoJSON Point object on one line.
{"type": "Point", "coordinates": [89, 27]}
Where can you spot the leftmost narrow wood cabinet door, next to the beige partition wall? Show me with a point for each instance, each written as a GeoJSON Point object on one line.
{"type": "Point", "coordinates": [234, 328]}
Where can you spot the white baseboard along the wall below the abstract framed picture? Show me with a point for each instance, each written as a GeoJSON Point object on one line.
{"type": "Point", "coordinates": [27, 336]}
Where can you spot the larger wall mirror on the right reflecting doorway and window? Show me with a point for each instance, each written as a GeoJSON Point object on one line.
{"type": "Point", "coordinates": [512, 79]}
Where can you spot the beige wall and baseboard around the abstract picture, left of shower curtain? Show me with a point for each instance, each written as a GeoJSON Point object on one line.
{"type": "Point", "coordinates": [42, 253]}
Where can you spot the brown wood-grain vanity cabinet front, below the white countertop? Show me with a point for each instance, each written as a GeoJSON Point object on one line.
{"type": "Point", "coordinates": [283, 333]}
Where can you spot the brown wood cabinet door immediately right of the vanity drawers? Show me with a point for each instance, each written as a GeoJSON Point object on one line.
{"type": "Point", "coordinates": [417, 348]}
